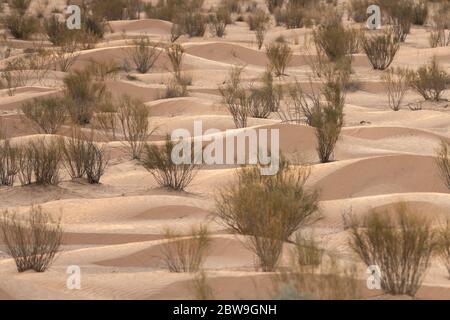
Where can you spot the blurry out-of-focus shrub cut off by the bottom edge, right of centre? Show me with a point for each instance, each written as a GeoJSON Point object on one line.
{"type": "Point", "coordinates": [332, 279]}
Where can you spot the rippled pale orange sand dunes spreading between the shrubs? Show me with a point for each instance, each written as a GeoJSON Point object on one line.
{"type": "Point", "coordinates": [114, 231]}
